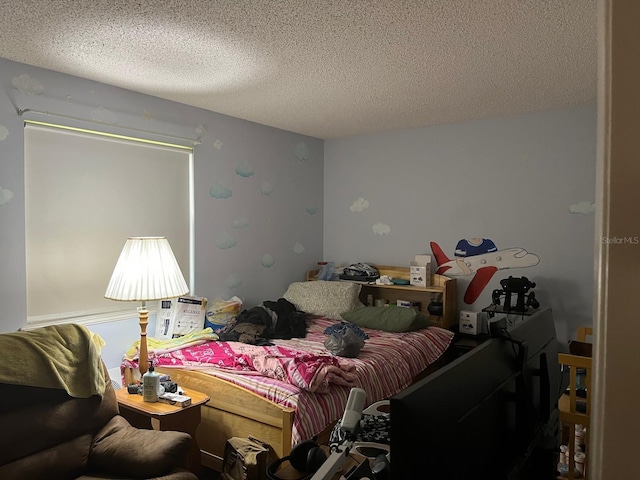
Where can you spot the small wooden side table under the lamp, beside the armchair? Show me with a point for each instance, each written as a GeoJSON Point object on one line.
{"type": "Point", "coordinates": [162, 416]}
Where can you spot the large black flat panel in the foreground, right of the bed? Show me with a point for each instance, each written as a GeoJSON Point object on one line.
{"type": "Point", "coordinates": [490, 413]}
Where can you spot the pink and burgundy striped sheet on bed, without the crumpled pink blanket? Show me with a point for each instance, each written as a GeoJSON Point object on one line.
{"type": "Point", "coordinates": [387, 364]}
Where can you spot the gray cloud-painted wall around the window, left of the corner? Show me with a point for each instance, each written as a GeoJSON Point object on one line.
{"type": "Point", "coordinates": [258, 192]}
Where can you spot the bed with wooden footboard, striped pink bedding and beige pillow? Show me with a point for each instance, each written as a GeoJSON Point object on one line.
{"type": "Point", "coordinates": [246, 402]}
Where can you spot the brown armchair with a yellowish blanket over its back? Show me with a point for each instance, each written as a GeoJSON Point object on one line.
{"type": "Point", "coordinates": [50, 434]}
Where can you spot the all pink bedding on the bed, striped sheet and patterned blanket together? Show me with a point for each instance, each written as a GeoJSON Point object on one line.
{"type": "Point", "coordinates": [386, 365]}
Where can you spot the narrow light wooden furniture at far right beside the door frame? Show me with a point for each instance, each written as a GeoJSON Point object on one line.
{"type": "Point", "coordinates": [579, 367]}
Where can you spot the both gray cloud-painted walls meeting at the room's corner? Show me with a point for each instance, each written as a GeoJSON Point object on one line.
{"type": "Point", "coordinates": [523, 182]}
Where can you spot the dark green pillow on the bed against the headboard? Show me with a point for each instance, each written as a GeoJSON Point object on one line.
{"type": "Point", "coordinates": [389, 319]}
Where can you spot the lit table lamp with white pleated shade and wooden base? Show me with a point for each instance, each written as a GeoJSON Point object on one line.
{"type": "Point", "coordinates": [146, 270]}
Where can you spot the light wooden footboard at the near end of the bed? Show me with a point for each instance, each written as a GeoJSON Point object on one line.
{"type": "Point", "coordinates": [236, 412]}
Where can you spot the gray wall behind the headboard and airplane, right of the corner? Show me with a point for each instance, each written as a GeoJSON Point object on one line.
{"type": "Point", "coordinates": [526, 181]}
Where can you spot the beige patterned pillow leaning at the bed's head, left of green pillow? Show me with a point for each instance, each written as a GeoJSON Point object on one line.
{"type": "Point", "coordinates": [323, 298]}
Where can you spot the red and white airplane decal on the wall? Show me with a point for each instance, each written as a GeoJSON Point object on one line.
{"type": "Point", "coordinates": [482, 266]}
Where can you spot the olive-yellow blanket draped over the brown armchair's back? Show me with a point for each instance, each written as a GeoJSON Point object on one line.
{"type": "Point", "coordinates": [58, 356]}
